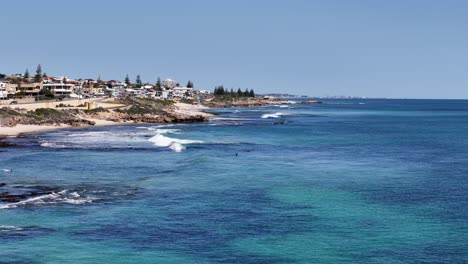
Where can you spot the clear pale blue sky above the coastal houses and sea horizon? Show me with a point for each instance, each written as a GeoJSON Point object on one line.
{"type": "Point", "coordinates": [375, 48]}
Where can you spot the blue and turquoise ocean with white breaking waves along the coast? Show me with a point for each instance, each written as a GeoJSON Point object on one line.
{"type": "Point", "coordinates": [360, 181]}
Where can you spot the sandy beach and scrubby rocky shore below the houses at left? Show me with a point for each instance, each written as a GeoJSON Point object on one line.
{"type": "Point", "coordinates": [16, 121]}
